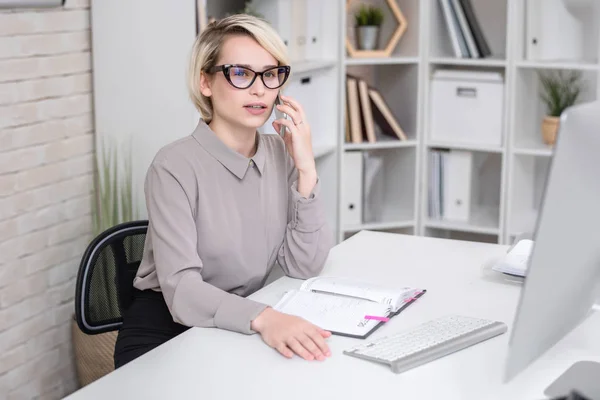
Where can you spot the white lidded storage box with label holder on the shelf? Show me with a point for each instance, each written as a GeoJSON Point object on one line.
{"type": "Point", "coordinates": [467, 107]}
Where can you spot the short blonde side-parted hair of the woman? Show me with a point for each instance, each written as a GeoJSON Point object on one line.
{"type": "Point", "coordinates": [207, 48]}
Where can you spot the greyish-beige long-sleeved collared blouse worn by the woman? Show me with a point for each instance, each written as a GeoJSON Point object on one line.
{"type": "Point", "coordinates": [218, 222]}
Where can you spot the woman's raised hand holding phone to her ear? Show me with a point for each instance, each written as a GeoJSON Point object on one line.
{"type": "Point", "coordinates": [297, 135]}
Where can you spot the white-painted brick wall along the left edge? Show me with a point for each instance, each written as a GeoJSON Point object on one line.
{"type": "Point", "coordinates": [46, 162]}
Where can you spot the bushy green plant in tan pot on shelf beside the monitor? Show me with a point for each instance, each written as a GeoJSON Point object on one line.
{"type": "Point", "coordinates": [559, 90]}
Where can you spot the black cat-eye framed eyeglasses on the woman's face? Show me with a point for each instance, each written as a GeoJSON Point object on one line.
{"type": "Point", "coordinates": [242, 77]}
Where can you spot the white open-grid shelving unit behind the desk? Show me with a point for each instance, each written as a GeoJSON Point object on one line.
{"type": "Point", "coordinates": [507, 180]}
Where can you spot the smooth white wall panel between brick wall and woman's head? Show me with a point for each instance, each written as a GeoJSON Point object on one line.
{"type": "Point", "coordinates": [140, 87]}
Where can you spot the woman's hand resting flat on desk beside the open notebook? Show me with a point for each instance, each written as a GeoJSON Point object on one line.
{"type": "Point", "coordinates": [289, 334]}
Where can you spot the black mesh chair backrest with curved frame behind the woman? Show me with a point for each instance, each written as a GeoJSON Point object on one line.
{"type": "Point", "coordinates": [104, 286]}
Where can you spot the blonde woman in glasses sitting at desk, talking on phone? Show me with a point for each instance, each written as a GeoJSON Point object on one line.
{"type": "Point", "coordinates": [226, 203]}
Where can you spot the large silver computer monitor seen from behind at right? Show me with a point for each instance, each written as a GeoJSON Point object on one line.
{"type": "Point", "coordinates": [563, 273]}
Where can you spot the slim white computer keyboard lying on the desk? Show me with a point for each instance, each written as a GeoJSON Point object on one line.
{"type": "Point", "coordinates": [427, 342]}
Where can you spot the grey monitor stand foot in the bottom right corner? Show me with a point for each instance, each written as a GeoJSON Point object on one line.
{"type": "Point", "coordinates": [583, 377]}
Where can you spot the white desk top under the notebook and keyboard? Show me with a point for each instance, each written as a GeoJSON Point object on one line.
{"type": "Point", "coordinates": [217, 364]}
